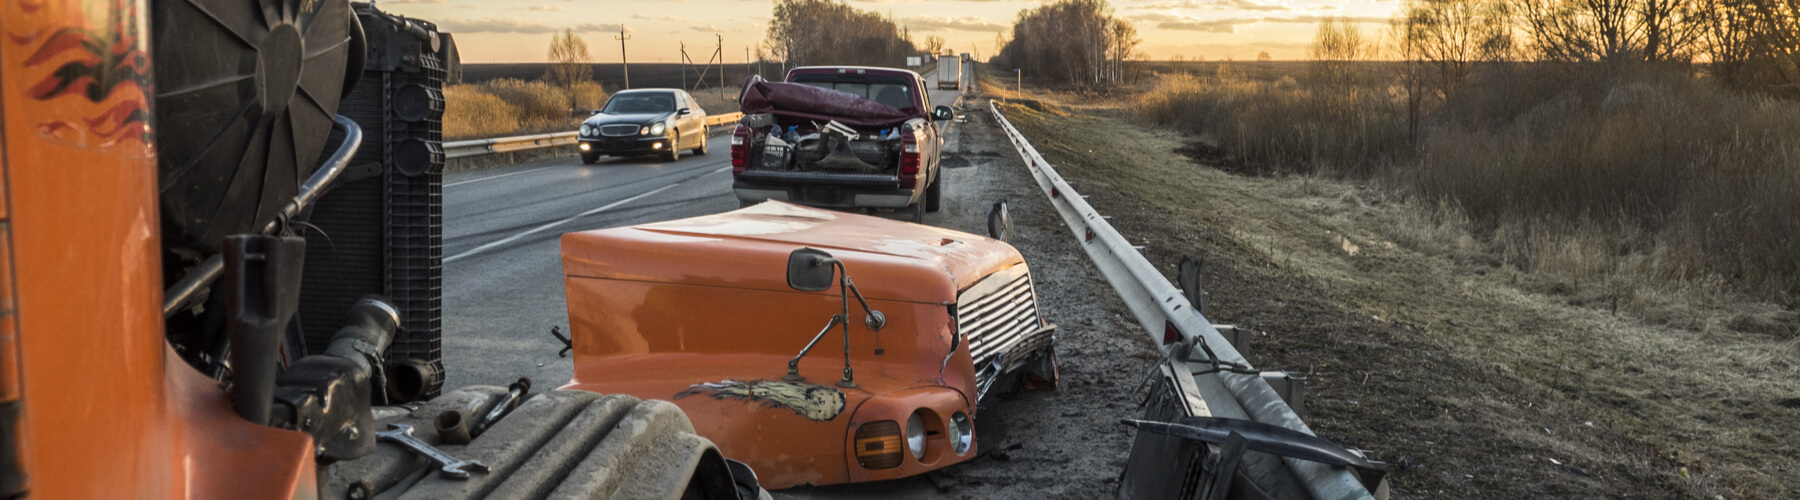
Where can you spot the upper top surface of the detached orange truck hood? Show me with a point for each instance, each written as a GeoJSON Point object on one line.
{"type": "Point", "coordinates": [750, 247]}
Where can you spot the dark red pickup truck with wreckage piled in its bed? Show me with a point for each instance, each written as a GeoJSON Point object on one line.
{"type": "Point", "coordinates": [841, 138]}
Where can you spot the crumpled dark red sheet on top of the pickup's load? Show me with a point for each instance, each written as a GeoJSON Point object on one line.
{"type": "Point", "coordinates": [805, 102]}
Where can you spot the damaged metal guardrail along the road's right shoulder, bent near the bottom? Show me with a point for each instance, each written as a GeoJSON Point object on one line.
{"type": "Point", "coordinates": [1183, 332]}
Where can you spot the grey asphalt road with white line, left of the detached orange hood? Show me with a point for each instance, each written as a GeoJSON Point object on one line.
{"type": "Point", "coordinates": [503, 271]}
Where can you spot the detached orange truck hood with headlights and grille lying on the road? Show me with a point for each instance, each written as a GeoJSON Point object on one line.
{"type": "Point", "coordinates": [712, 312]}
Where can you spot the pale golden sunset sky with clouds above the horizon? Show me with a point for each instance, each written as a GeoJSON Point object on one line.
{"type": "Point", "coordinates": [498, 31]}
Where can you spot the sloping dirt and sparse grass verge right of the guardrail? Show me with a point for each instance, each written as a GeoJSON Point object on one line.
{"type": "Point", "coordinates": [1473, 379]}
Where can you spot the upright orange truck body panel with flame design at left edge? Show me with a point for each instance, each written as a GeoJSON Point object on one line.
{"type": "Point", "coordinates": [109, 411]}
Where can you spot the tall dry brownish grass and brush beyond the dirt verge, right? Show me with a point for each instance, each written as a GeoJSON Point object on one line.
{"type": "Point", "coordinates": [1606, 186]}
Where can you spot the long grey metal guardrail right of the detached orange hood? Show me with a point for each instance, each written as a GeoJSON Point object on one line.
{"type": "Point", "coordinates": [1164, 310]}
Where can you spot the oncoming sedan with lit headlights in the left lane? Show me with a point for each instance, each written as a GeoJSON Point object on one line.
{"type": "Point", "coordinates": [649, 121]}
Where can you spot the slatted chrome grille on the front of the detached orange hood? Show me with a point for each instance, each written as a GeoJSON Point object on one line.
{"type": "Point", "coordinates": [1002, 323]}
